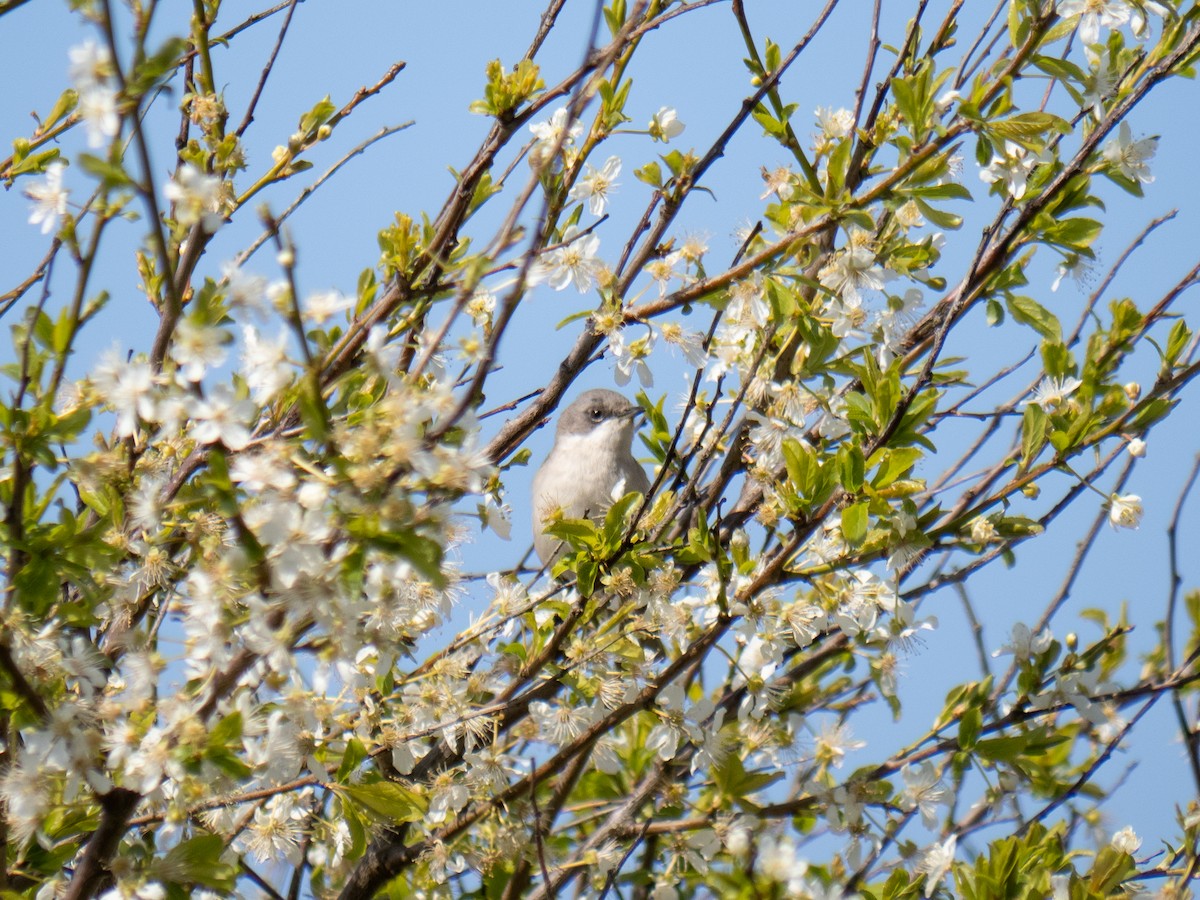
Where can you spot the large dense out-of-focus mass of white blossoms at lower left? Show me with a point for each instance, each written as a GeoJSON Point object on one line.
{"type": "Point", "coordinates": [284, 566]}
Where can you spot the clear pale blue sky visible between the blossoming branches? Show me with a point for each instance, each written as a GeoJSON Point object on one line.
{"type": "Point", "coordinates": [337, 47]}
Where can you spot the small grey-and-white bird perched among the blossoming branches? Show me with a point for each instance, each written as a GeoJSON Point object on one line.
{"type": "Point", "coordinates": [592, 454]}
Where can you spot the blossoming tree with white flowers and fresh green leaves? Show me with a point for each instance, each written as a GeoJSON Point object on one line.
{"type": "Point", "coordinates": [239, 651]}
